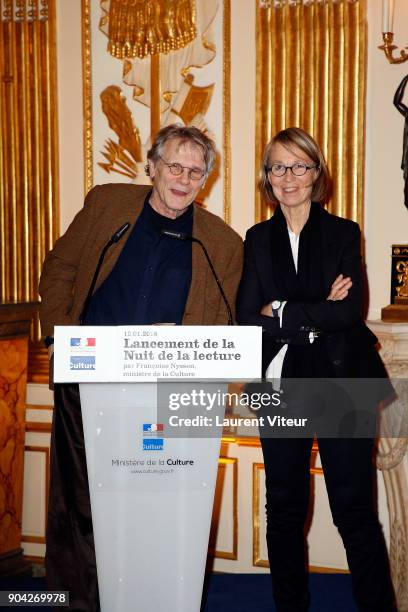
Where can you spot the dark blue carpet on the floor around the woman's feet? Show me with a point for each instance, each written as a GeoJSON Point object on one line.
{"type": "Point", "coordinates": [239, 593]}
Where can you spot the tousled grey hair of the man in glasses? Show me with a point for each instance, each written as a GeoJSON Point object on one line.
{"type": "Point", "coordinates": [184, 134]}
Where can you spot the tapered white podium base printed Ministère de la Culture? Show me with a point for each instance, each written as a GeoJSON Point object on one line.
{"type": "Point", "coordinates": [151, 498]}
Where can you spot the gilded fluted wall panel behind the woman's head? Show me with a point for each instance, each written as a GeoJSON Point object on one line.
{"type": "Point", "coordinates": [311, 73]}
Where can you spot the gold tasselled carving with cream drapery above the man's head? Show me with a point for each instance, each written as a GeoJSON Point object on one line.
{"type": "Point", "coordinates": [161, 79]}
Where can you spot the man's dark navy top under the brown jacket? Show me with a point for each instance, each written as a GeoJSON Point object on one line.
{"type": "Point", "coordinates": [151, 279]}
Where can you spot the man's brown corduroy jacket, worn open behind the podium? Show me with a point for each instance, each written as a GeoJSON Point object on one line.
{"type": "Point", "coordinates": [69, 266]}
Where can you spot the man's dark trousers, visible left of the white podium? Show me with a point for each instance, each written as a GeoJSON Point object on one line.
{"type": "Point", "coordinates": [70, 555]}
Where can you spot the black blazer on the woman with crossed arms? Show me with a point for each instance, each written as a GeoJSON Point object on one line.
{"type": "Point", "coordinates": [350, 344]}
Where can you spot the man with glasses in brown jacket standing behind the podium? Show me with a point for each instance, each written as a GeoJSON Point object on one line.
{"type": "Point", "coordinates": [146, 278]}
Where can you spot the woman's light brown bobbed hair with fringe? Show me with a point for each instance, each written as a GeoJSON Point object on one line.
{"type": "Point", "coordinates": [296, 137]}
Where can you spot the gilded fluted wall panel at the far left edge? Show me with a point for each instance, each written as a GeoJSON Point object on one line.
{"type": "Point", "coordinates": [29, 213]}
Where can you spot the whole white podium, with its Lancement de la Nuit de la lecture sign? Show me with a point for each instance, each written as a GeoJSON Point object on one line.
{"type": "Point", "coordinates": [151, 496]}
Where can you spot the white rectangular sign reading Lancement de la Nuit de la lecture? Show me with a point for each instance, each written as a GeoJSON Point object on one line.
{"type": "Point", "coordinates": [143, 353]}
